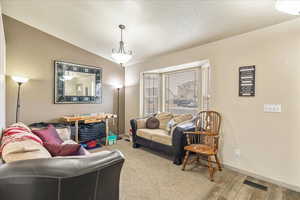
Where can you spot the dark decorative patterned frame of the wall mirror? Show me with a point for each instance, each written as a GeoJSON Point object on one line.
{"type": "Point", "coordinates": [59, 85]}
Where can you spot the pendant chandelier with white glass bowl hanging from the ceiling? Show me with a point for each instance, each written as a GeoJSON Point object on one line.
{"type": "Point", "coordinates": [120, 55]}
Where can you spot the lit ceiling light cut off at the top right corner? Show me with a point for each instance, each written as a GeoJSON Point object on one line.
{"type": "Point", "coordinates": [291, 7]}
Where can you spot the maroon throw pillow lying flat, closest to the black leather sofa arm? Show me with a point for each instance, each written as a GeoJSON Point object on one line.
{"type": "Point", "coordinates": [62, 149]}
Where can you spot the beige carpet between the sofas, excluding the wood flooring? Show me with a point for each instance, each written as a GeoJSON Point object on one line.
{"type": "Point", "coordinates": [150, 176]}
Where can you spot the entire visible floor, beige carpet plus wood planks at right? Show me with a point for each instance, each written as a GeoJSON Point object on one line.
{"type": "Point", "coordinates": [147, 175]}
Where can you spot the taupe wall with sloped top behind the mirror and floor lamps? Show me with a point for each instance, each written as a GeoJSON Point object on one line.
{"type": "Point", "coordinates": [31, 53]}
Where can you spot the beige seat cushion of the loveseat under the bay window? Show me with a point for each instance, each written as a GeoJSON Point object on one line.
{"type": "Point", "coordinates": [156, 135]}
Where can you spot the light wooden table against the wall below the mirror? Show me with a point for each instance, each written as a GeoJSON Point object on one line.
{"type": "Point", "coordinates": [90, 118]}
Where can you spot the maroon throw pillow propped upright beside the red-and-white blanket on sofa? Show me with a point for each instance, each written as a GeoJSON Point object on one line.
{"type": "Point", "coordinates": [49, 135]}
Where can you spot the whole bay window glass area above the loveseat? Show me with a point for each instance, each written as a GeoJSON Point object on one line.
{"type": "Point", "coordinates": [177, 92]}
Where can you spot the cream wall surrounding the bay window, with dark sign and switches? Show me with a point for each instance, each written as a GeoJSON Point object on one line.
{"type": "Point", "coordinates": [268, 142]}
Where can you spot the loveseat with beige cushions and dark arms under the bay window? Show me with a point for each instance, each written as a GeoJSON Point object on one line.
{"type": "Point", "coordinates": [167, 138]}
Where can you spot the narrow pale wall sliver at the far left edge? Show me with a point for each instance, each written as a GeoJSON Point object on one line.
{"type": "Point", "coordinates": [2, 75]}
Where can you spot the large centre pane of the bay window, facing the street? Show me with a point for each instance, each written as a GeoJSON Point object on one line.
{"type": "Point", "coordinates": [181, 92]}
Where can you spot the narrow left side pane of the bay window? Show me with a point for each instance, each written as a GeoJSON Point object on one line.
{"type": "Point", "coordinates": [151, 92]}
